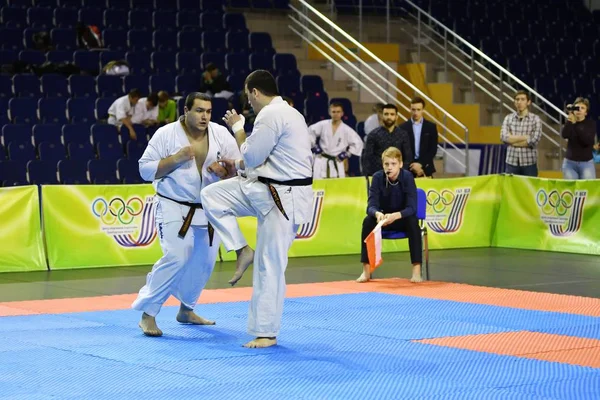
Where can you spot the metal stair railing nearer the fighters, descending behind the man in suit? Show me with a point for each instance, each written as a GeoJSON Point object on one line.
{"type": "Point", "coordinates": [312, 26]}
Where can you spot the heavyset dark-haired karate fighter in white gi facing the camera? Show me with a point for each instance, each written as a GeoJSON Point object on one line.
{"type": "Point", "coordinates": [180, 160]}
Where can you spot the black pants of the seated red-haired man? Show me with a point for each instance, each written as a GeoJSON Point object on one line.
{"type": "Point", "coordinates": [409, 225]}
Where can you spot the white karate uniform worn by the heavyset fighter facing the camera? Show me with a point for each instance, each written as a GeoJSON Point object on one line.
{"type": "Point", "coordinates": [187, 262]}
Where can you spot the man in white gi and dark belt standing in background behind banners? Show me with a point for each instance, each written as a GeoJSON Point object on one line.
{"type": "Point", "coordinates": [332, 142]}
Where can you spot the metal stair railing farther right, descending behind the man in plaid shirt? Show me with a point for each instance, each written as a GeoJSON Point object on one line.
{"type": "Point", "coordinates": [454, 53]}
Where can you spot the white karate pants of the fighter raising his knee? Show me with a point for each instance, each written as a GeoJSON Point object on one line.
{"type": "Point", "coordinates": [223, 202]}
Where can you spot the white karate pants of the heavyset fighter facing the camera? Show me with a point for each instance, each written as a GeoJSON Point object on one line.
{"type": "Point", "coordinates": [182, 271]}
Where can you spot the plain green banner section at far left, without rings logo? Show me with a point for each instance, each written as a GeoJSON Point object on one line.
{"type": "Point", "coordinates": [21, 240]}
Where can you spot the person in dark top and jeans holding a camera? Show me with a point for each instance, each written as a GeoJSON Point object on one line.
{"type": "Point", "coordinates": [580, 133]}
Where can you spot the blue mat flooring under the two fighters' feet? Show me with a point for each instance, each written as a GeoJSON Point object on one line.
{"type": "Point", "coordinates": [357, 346]}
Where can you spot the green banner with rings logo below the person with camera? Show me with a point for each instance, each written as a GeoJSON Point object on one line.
{"type": "Point", "coordinates": [549, 214]}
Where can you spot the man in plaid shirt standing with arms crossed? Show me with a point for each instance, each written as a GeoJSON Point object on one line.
{"type": "Point", "coordinates": [521, 131]}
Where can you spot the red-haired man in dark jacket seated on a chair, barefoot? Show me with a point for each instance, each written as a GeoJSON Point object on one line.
{"type": "Point", "coordinates": [393, 199]}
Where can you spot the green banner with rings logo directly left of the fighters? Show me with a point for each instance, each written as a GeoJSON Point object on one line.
{"type": "Point", "coordinates": [99, 225]}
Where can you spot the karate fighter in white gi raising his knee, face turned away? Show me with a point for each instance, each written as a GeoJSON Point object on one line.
{"type": "Point", "coordinates": [275, 185]}
